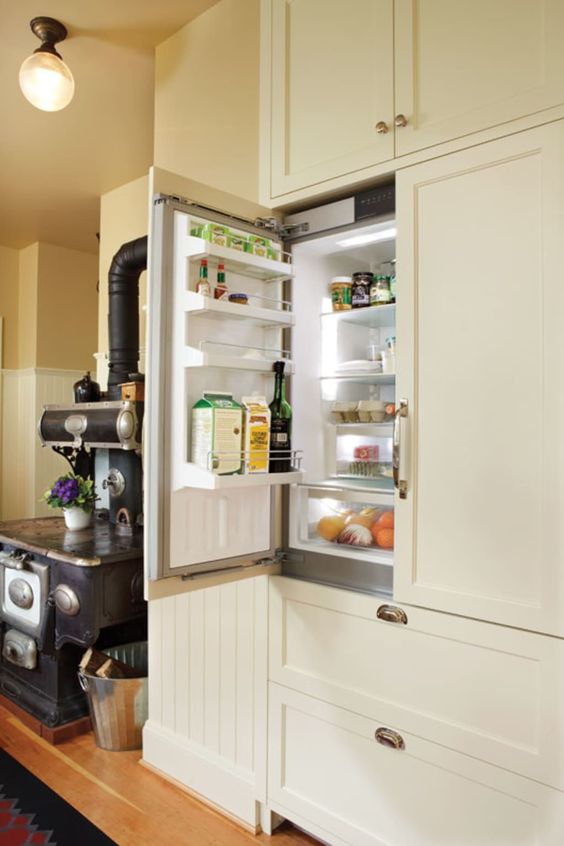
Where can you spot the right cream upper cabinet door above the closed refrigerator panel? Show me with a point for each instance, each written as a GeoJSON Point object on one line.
{"type": "Point", "coordinates": [473, 64]}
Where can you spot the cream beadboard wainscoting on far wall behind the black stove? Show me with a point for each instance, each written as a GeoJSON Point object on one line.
{"type": "Point", "coordinates": [27, 467]}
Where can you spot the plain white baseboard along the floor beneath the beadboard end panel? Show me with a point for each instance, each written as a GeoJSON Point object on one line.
{"type": "Point", "coordinates": [213, 778]}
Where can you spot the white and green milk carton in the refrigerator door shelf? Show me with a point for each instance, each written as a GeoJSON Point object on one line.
{"type": "Point", "coordinates": [217, 425]}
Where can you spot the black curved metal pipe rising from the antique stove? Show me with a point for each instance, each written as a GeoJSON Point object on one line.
{"type": "Point", "coordinates": [123, 317]}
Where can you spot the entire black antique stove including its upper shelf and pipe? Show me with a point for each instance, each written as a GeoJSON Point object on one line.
{"type": "Point", "coordinates": [63, 591]}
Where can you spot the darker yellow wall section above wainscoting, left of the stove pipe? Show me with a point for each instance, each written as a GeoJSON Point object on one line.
{"type": "Point", "coordinates": [67, 308]}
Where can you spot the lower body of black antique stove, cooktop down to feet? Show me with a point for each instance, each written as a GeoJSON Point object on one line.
{"type": "Point", "coordinates": [61, 592]}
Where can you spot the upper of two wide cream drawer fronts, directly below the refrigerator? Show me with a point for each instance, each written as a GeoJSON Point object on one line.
{"type": "Point", "coordinates": [490, 692]}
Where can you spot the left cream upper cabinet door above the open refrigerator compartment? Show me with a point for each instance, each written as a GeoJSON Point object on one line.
{"type": "Point", "coordinates": [331, 94]}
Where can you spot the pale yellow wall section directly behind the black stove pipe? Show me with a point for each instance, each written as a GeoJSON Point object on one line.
{"type": "Point", "coordinates": [124, 216]}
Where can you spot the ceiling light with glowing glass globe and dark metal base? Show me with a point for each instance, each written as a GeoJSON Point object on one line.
{"type": "Point", "coordinates": [45, 80]}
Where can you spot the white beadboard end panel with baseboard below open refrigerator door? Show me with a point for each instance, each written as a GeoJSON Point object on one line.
{"type": "Point", "coordinates": [207, 724]}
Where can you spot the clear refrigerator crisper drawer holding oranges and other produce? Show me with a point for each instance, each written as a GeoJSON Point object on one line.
{"type": "Point", "coordinates": [353, 524]}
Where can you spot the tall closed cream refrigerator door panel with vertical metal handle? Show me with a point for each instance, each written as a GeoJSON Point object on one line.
{"type": "Point", "coordinates": [480, 305]}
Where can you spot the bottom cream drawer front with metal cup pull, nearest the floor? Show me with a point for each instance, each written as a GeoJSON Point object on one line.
{"type": "Point", "coordinates": [326, 767]}
